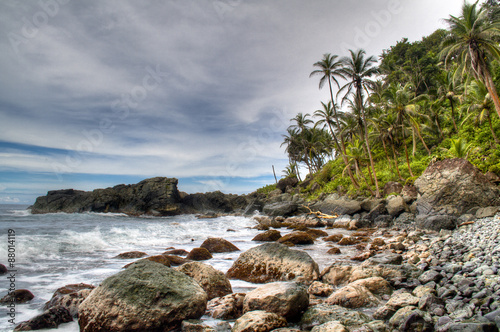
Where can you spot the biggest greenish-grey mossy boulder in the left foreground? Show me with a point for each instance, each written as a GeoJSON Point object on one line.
{"type": "Point", "coordinates": [147, 296]}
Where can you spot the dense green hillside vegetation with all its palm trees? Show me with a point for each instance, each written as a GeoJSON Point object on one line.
{"type": "Point", "coordinates": [425, 101]}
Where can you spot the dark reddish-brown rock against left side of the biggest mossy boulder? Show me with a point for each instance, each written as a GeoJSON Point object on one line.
{"type": "Point", "coordinates": [69, 297]}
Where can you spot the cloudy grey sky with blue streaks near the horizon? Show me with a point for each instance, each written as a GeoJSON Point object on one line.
{"type": "Point", "coordinates": [99, 93]}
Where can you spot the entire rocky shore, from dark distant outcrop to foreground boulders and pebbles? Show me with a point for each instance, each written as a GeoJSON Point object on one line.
{"type": "Point", "coordinates": [426, 257]}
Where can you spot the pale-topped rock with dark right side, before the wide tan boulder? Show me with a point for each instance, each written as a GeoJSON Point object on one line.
{"type": "Point", "coordinates": [287, 299]}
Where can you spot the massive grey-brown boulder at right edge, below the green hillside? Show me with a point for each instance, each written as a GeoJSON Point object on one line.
{"type": "Point", "coordinates": [453, 187]}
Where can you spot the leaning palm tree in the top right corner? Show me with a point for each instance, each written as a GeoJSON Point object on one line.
{"type": "Point", "coordinates": [473, 41]}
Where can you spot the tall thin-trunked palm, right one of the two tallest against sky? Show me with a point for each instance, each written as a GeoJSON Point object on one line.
{"type": "Point", "coordinates": [358, 70]}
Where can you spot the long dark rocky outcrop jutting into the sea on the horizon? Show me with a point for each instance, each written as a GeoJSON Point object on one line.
{"type": "Point", "coordinates": [156, 196]}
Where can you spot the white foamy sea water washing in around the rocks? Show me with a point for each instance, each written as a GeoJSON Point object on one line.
{"type": "Point", "coordinates": [54, 250]}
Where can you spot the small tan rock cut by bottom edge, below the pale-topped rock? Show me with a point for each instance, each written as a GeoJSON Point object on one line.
{"type": "Point", "coordinates": [258, 321]}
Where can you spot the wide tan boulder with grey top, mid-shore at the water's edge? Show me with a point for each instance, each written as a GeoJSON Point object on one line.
{"type": "Point", "coordinates": [274, 262]}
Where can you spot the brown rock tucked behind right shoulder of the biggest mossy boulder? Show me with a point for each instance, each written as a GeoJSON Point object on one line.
{"type": "Point", "coordinates": [214, 282]}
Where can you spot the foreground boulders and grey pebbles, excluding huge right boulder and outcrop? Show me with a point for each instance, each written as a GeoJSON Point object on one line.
{"type": "Point", "coordinates": [409, 280]}
